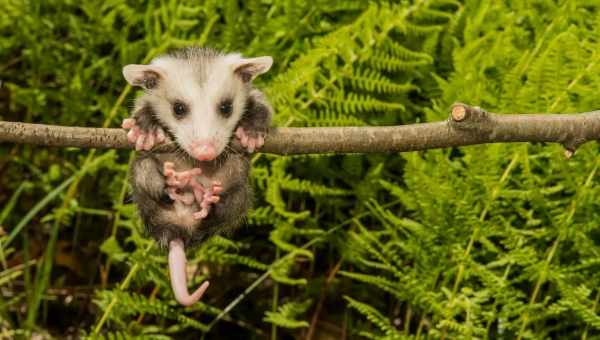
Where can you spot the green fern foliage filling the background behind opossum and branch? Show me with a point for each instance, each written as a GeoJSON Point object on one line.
{"type": "Point", "coordinates": [493, 241]}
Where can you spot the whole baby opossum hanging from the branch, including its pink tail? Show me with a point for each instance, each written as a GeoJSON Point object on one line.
{"type": "Point", "coordinates": [204, 101]}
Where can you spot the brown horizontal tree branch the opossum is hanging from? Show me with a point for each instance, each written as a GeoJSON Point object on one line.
{"type": "Point", "coordinates": [466, 125]}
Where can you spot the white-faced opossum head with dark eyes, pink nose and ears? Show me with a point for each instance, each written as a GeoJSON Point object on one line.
{"type": "Point", "coordinates": [198, 95]}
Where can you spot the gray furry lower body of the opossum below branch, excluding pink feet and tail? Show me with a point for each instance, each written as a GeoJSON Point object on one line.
{"type": "Point", "coordinates": [166, 219]}
